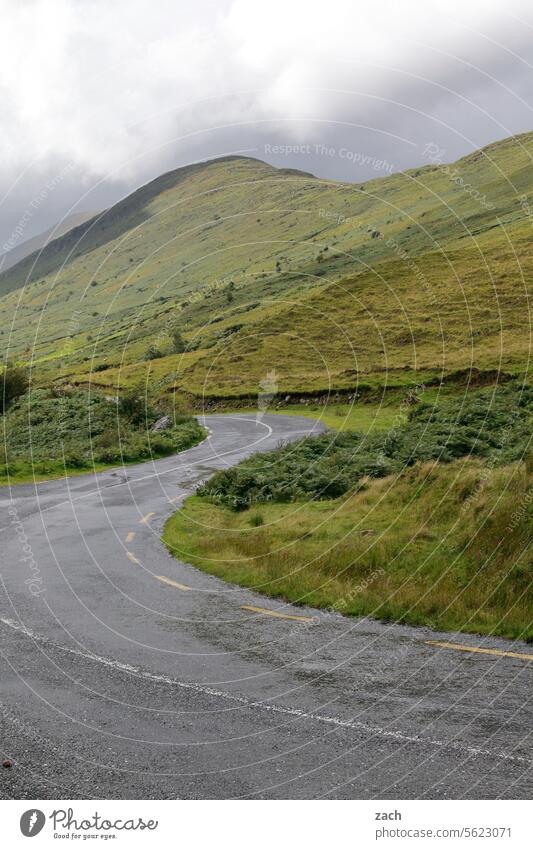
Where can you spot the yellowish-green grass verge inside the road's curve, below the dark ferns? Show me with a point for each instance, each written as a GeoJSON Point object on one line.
{"type": "Point", "coordinates": [443, 546]}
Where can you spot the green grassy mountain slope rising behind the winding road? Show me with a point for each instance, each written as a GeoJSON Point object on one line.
{"type": "Point", "coordinates": [278, 278]}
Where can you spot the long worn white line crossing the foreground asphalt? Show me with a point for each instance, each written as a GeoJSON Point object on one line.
{"type": "Point", "coordinates": [272, 708]}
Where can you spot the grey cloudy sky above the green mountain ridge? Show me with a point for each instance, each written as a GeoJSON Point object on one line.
{"type": "Point", "coordinates": [98, 97]}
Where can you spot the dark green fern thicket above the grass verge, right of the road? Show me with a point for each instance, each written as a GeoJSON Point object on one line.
{"type": "Point", "coordinates": [494, 424]}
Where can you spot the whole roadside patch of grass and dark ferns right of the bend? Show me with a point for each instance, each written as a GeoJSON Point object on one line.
{"type": "Point", "coordinates": [406, 524]}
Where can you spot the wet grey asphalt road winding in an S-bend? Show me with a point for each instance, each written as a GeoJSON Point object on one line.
{"type": "Point", "coordinates": [118, 684]}
